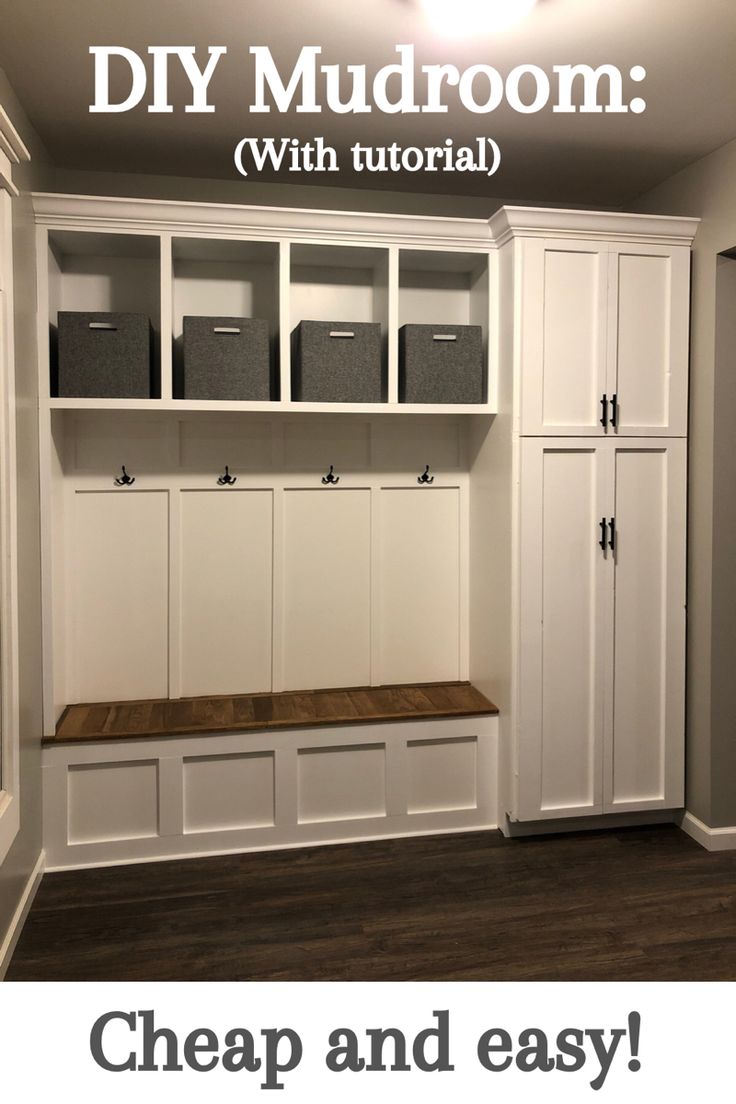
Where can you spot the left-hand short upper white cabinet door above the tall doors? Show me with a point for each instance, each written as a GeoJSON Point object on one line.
{"type": "Point", "coordinates": [564, 356]}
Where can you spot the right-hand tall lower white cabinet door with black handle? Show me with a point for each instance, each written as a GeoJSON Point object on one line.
{"type": "Point", "coordinates": [645, 746]}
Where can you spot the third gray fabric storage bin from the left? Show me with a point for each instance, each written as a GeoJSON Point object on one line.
{"type": "Point", "coordinates": [337, 363]}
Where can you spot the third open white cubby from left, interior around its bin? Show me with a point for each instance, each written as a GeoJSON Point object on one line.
{"type": "Point", "coordinates": [342, 284]}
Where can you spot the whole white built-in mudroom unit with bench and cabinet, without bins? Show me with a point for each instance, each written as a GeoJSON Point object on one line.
{"type": "Point", "coordinates": [289, 622]}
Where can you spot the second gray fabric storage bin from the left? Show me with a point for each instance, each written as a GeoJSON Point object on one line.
{"type": "Point", "coordinates": [227, 358]}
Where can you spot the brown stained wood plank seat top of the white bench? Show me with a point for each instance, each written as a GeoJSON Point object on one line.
{"type": "Point", "coordinates": [126, 720]}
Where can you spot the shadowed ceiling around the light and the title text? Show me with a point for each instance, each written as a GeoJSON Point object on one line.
{"type": "Point", "coordinates": [686, 46]}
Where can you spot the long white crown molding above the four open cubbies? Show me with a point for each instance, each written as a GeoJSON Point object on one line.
{"type": "Point", "coordinates": [91, 213]}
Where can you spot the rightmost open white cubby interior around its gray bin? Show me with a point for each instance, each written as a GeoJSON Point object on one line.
{"type": "Point", "coordinates": [445, 288]}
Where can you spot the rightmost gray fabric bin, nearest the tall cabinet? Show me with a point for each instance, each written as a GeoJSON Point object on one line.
{"type": "Point", "coordinates": [441, 364]}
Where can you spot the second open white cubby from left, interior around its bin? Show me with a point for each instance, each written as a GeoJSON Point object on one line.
{"type": "Point", "coordinates": [226, 278]}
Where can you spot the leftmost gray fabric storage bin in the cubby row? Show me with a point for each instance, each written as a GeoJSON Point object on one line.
{"type": "Point", "coordinates": [104, 356]}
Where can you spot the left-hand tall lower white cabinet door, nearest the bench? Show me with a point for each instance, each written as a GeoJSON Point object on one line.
{"type": "Point", "coordinates": [567, 612]}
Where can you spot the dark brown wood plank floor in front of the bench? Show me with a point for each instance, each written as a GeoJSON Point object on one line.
{"type": "Point", "coordinates": [631, 905]}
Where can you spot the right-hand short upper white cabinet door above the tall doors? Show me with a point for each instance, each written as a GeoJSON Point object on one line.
{"type": "Point", "coordinates": [649, 310]}
